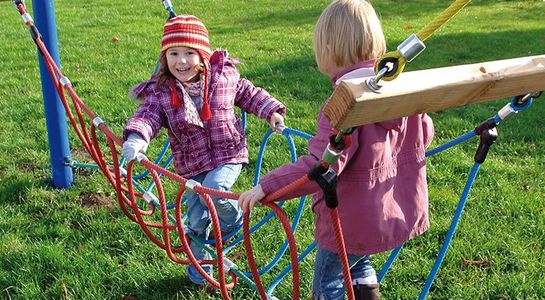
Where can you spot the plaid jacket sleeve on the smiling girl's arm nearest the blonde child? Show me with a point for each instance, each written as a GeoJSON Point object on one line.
{"type": "Point", "coordinates": [256, 100]}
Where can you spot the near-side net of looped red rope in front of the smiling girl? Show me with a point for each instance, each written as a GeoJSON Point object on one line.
{"type": "Point", "coordinates": [140, 207]}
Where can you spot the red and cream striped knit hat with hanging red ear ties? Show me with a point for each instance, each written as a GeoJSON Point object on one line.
{"type": "Point", "coordinates": [189, 31]}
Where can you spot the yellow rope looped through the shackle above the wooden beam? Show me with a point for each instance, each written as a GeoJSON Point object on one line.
{"type": "Point", "coordinates": [423, 34]}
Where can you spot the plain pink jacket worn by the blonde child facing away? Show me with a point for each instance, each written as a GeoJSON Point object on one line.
{"type": "Point", "coordinates": [382, 188]}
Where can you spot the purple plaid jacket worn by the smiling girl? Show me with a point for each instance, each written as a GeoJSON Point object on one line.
{"type": "Point", "coordinates": [202, 146]}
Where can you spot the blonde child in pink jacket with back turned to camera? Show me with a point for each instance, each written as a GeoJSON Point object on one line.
{"type": "Point", "coordinates": [382, 188]}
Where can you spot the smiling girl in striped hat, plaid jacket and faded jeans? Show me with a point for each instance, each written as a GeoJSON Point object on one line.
{"type": "Point", "coordinates": [193, 96]}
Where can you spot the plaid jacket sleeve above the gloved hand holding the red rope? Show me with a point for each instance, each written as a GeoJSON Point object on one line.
{"type": "Point", "coordinates": [147, 121]}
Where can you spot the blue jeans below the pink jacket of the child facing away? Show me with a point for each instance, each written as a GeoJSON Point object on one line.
{"type": "Point", "coordinates": [328, 281]}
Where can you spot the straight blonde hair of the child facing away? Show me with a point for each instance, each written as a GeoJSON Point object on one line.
{"type": "Point", "coordinates": [348, 32]}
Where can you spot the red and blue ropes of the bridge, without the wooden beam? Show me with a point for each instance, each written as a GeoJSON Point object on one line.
{"type": "Point", "coordinates": [174, 239]}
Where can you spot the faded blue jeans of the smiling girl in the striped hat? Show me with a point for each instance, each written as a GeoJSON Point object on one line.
{"type": "Point", "coordinates": [229, 213]}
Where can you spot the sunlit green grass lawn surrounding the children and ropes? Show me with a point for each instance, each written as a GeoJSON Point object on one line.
{"type": "Point", "coordinates": [77, 244]}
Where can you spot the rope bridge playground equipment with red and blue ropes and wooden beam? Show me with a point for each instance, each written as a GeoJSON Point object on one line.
{"type": "Point", "coordinates": [348, 107]}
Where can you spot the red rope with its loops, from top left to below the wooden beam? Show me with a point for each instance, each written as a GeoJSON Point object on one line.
{"type": "Point", "coordinates": [130, 208]}
